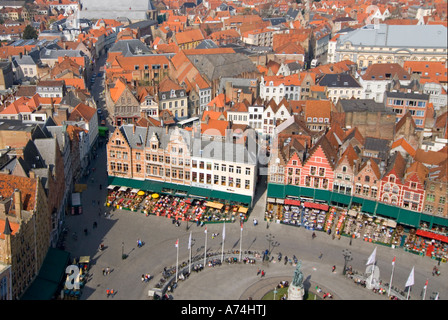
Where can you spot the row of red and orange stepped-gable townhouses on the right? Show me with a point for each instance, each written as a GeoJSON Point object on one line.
{"type": "Point", "coordinates": [337, 162]}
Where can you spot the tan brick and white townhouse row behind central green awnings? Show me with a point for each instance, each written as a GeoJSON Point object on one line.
{"type": "Point", "coordinates": [179, 157]}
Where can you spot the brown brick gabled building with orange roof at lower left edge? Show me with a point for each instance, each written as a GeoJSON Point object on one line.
{"type": "Point", "coordinates": [24, 224]}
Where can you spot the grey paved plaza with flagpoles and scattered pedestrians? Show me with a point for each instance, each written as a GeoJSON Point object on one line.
{"type": "Point", "coordinates": [120, 230]}
